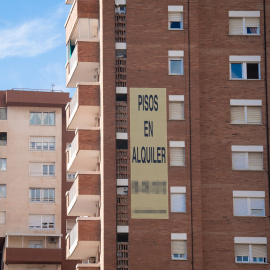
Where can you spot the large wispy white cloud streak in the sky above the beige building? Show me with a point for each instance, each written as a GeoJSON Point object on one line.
{"type": "Point", "coordinates": [32, 38]}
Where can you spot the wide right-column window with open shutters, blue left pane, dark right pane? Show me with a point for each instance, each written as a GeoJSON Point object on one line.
{"type": "Point", "coordinates": [245, 67]}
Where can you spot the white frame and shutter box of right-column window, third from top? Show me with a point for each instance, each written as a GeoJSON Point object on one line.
{"type": "Point", "coordinates": [245, 103]}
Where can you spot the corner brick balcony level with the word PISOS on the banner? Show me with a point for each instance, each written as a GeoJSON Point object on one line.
{"type": "Point", "coordinates": [83, 110]}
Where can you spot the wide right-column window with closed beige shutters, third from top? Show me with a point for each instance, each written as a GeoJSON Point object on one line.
{"type": "Point", "coordinates": [246, 111]}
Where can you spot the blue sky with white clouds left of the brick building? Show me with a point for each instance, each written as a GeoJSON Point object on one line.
{"type": "Point", "coordinates": [32, 47]}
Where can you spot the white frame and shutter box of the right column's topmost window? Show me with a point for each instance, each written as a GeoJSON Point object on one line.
{"type": "Point", "coordinates": [244, 15]}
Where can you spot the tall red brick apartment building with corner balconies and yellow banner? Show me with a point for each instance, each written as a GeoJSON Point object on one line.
{"type": "Point", "coordinates": [171, 146]}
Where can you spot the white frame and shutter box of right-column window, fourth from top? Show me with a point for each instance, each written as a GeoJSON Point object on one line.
{"type": "Point", "coordinates": [246, 149]}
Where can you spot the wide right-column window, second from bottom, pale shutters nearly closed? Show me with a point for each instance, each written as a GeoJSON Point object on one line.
{"type": "Point", "coordinates": [248, 203]}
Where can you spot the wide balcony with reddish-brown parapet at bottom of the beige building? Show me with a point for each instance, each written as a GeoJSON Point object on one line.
{"type": "Point", "coordinates": [32, 249]}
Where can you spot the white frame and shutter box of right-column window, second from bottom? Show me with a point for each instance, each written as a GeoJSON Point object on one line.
{"type": "Point", "coordinates": [248, 195]}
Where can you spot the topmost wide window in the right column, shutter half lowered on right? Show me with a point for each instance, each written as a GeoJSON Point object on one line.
{"type": "Point", "coordinates": [244, 22]}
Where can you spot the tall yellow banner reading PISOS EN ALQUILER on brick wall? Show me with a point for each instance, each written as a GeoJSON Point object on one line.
{"type": "Point", "coordinates": [148, 153]}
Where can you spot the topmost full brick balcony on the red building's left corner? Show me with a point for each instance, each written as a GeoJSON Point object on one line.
{"type": "Point", "coordinates": [82, 21]}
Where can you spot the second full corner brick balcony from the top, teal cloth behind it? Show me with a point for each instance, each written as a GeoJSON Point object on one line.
{"type": "Point", "coordinates": [83, 64]}
